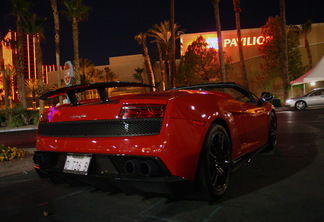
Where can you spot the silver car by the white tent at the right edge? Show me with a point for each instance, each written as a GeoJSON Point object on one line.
{"type": "Point", "coordinates": [313, 98]}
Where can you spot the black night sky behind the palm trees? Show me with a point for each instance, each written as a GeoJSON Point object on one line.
{"type": "Point", "coordinates": [112, 25]}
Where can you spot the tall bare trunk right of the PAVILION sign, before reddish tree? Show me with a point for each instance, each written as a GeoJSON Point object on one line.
{"type": "Point", "coordinates": [285, 73]}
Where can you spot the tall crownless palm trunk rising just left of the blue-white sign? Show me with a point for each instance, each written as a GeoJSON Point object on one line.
{"type": "Point", "coordinates": [57, 41]}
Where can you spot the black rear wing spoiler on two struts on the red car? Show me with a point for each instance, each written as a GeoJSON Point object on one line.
{"type": "Point", "coordinates": [71, 91]}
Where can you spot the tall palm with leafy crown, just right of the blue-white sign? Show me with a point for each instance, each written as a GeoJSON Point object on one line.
{"type": "Point", "coordinates": [76, 12]}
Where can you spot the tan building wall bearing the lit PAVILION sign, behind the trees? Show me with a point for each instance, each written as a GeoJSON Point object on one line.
{"type": "Point", "coordinates": [252, 39]}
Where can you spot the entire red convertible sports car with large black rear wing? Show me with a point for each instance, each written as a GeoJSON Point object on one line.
{"type": "Point", "coordinates": [168, 142]}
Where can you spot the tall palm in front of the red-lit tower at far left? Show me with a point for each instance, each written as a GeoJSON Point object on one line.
{"type": "Point", "coordinates": [19, 9]}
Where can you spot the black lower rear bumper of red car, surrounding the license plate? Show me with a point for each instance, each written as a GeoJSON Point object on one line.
{"type": "Point", "coordinates": [108, 173]}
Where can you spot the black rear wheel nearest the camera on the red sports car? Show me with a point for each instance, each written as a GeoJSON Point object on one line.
{"type": "Point", "coordinates": [215, 163]}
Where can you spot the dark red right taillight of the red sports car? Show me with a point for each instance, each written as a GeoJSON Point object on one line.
{"type": "Point", "coordinates": [142, 111]}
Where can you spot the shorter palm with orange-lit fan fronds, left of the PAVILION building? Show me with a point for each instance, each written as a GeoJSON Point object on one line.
{"type": "Point", "coordinates": [162, 37]}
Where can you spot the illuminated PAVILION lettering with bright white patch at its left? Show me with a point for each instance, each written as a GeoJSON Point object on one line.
{"type": "Point", "coordinates": [233, 42]}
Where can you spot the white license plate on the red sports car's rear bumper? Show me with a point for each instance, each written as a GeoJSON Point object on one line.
{"type": "Point", "coordinates": [77, 164]}
